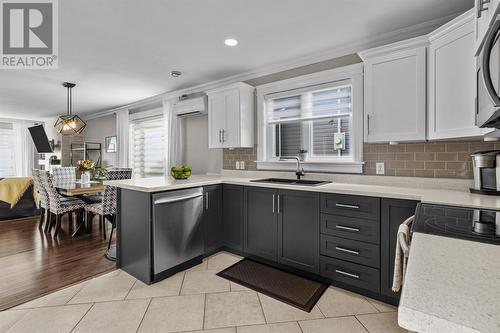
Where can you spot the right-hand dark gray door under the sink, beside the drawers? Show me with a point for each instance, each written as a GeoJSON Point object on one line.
{"type": "Point", "coordinates": [298, 230]}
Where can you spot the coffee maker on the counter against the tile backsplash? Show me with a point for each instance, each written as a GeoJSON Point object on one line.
{"type": "Point", "coordinates": [486, 167]}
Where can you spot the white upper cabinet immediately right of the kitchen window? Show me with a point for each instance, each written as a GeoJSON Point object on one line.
{"type": "Point", "coordinates": [395, 90]}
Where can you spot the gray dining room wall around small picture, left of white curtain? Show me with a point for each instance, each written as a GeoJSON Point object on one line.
{"type": "Point", "coordinates": [99, 128]}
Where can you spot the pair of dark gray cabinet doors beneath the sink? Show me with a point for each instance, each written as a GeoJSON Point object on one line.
{"type": "Point", "coordinates": [283, 226]}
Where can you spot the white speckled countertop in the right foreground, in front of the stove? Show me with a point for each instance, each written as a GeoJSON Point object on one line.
{"type": "Point", "coordinates": [451, 285]}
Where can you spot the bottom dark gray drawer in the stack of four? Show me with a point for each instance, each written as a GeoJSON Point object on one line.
{"type": "Point", "coordinates": [349, 273]}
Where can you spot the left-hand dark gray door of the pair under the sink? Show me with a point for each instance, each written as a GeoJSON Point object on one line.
{"type": "Point", "coordinates": [260, 224]}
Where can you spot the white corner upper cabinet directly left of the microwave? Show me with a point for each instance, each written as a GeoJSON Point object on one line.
{"type": "Point", "coordinates": [451, 82]}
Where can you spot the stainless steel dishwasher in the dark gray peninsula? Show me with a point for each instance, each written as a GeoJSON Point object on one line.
{"type": "Point", "coordinates": [177, 227]}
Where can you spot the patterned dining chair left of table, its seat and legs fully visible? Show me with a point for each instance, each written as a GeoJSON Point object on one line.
{"type": "Point", "coordinates": [58, 205]}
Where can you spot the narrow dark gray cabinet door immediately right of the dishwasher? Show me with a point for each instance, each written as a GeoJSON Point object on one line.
{"type": "Point", "coordinates": [212, 218]}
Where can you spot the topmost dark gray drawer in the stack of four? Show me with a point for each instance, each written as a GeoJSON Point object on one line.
{"type": "Point", "coordinates": [351, 205]}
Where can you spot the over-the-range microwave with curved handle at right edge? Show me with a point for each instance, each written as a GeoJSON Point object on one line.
{"type": "Point", "coordinates": [488, 79]}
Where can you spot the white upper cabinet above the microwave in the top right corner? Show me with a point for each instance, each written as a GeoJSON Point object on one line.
{"type": "Point", "coordinates": [485, 12]}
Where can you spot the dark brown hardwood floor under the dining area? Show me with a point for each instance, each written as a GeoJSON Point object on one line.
{"type": "Point", "coordinates": [34, 263]}
